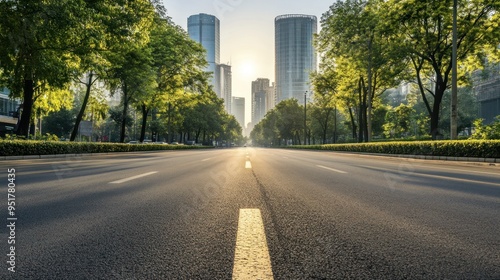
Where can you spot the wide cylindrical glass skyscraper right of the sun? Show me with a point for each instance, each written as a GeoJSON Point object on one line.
{"type": "Point", "coordinates": [294, 54]}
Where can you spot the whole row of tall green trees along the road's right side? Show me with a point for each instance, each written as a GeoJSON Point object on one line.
{"type": "Point", "coordinates": [370, 46]}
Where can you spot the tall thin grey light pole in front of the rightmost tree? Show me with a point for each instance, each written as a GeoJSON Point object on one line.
{"type": "Point", "coordinates": [454, 97]}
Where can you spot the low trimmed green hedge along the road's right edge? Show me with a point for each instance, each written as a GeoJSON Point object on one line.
{"type": "Point", "coordinates": [465, 148]}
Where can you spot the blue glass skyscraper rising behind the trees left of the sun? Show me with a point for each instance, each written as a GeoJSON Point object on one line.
{"type": "Point", "coordinates": [205, 29]}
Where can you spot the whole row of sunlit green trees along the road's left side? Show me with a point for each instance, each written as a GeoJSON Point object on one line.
{"type": "Point", "coordinates": [130, 47]}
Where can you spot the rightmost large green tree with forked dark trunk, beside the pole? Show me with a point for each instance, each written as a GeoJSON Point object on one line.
{"type": "Point", "coordinates": [425, 36]}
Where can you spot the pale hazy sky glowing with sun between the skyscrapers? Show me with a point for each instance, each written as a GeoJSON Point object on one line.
{"type": "Point", "coordinates": [247, 33]}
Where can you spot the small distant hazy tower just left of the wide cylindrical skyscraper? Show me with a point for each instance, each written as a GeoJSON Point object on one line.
{"type": "Point", "coordinates": [262, 99]}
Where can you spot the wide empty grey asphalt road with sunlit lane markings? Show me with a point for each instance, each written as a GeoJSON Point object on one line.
{"type": "Point", "coordinates": [322, 215]}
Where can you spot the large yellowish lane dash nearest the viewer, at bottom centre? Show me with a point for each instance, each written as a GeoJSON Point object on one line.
{"type": "Point", "coordinates": [251, 256]}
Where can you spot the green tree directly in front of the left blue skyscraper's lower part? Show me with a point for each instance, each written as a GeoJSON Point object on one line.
{"type": "Point", "coordinates": [178, 63]}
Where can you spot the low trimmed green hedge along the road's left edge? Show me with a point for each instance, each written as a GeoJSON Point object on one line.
{"type": "Point", "coordinates": [31, 147]}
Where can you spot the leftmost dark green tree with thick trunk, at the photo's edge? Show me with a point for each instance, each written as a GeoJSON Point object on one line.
{"type": "Point", "coordinates": [37, 48]}
